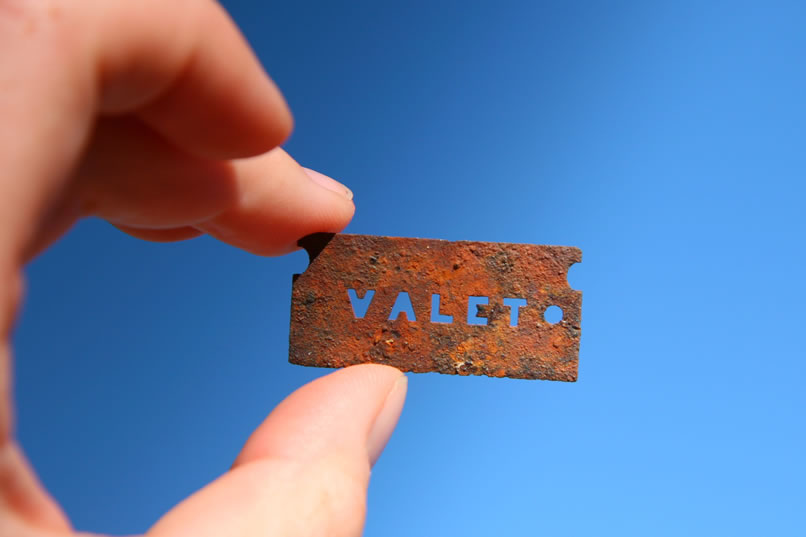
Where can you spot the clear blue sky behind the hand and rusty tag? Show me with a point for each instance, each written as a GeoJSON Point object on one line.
{"type": "Point", "coordinates": [667, 140]}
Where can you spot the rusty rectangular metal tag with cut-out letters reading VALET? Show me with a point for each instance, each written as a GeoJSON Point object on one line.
{"type": "Point", "coordinates": [353, 303]}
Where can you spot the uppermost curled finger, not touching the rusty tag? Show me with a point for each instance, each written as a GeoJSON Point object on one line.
{"type": "Point", "coordinates": [183, 66]}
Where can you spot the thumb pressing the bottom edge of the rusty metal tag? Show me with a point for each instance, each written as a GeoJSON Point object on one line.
{"type": "Point", "coordinates": [305, 470]}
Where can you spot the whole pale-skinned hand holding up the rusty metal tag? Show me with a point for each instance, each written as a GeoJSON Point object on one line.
{"type": "Point", "coordinates": [156, 116]}
